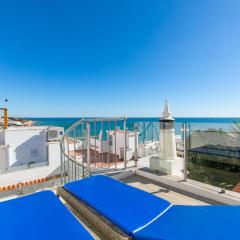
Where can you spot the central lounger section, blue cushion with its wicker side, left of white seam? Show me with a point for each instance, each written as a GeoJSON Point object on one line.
{"type": "Point", "coordinates": [112, 206]}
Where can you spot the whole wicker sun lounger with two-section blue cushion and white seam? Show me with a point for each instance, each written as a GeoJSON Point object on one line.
{"type": "Point", "coordinates": [125, 212]}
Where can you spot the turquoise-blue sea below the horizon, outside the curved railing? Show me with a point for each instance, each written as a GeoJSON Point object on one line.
{"type": "Point", "coordinates": [193, 123]}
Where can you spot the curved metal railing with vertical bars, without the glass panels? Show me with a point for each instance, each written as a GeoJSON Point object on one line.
{"type": "Point", "coordinates": [93, 145]}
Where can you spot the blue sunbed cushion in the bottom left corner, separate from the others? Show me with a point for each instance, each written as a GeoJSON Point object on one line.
{"type": "Point", "coordinates": [39, 216]}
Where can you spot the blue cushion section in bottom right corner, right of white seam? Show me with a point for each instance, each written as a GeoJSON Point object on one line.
{"type": "Point", "coordinates": [194, 223]}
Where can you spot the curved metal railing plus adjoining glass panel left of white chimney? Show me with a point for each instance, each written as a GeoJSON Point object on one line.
{"type": "Point", "coordinates": [103, 145]}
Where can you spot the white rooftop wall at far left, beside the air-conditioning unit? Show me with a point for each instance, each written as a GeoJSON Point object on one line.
{"type": "Point", "coordinates": [26, 154]}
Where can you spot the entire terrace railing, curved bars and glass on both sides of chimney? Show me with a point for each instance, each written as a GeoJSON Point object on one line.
{"type": "Point", "coordinates": [211, 151]}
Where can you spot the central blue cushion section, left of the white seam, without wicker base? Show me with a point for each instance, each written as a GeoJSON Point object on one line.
{"type": "Point", "coordinates": [125, 206]}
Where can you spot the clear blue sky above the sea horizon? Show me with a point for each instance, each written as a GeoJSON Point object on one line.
{"type": "Point", "coordinates": [107, 58]}
